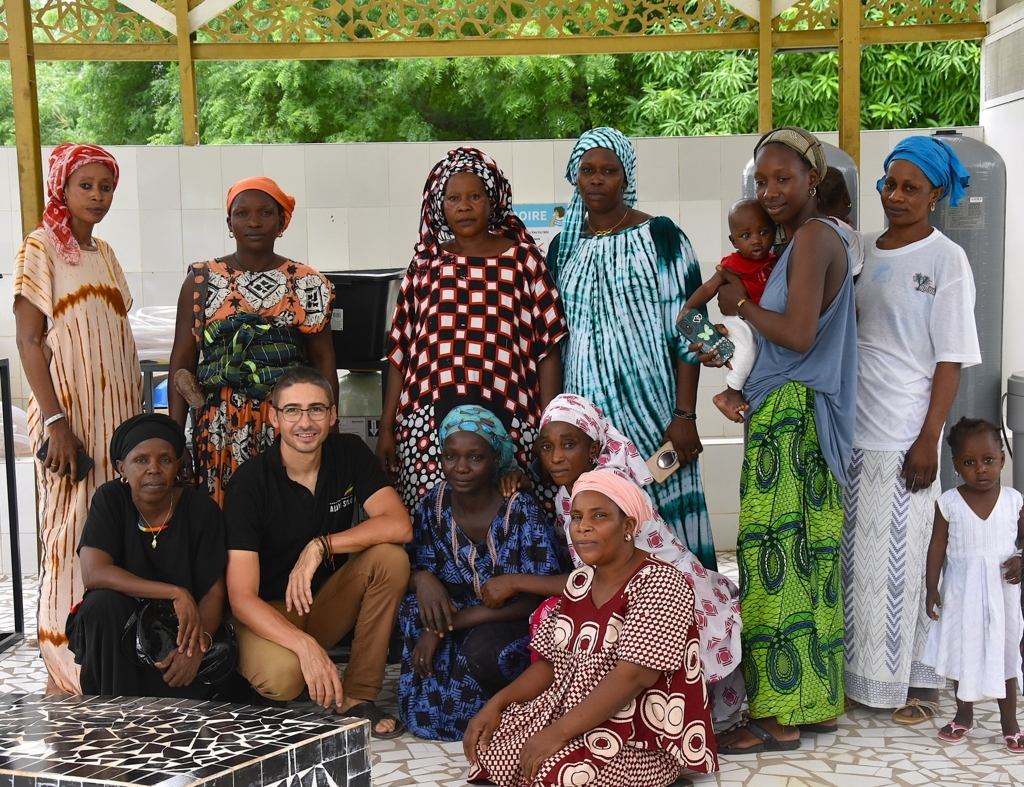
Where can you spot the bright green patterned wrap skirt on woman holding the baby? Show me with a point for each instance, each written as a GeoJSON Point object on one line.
{"type": "Point", "coordinates": [791, 522]}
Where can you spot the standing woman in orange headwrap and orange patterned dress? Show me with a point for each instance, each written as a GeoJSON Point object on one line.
{"type": "Point", "coordinates": [250, 316]}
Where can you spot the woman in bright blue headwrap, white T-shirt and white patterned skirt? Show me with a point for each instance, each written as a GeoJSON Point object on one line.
{"type": "Point", "coordinates": [915, 333]}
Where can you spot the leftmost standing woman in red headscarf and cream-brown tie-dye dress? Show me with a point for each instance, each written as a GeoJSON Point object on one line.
{"type": "Point", "coordinates": [76, 345]}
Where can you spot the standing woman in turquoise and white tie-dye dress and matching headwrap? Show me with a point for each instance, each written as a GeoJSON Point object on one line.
{"type": "Point", "coordinates": [624, 277]}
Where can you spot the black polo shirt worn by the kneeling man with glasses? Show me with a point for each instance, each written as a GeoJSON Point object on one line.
{"type": "Point", "coordinates": [269, 513]}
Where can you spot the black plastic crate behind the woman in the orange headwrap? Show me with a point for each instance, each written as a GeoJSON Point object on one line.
{"type": "Point", "coordinates": [364, 308]}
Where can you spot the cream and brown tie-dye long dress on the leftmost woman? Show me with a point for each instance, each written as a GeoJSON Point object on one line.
{"type": "Point", "coordinates": [98, 381]}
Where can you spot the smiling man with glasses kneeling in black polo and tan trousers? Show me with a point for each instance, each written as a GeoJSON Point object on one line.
{"type": "Point", "coordinates": [301, 575]}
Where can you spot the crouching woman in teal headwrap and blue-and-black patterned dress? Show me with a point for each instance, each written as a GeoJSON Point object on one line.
{"type": "Point", "coordinates": [457, 652]}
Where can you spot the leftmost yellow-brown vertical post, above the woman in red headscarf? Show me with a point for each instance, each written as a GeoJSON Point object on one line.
{"type": "Point", "coordinates": [23, 79]}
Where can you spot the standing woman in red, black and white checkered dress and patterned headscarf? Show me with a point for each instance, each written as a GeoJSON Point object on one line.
{"type": "Point", "coordinates": [479, 322]}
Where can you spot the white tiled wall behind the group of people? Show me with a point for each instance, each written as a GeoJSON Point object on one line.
{"type": "Point", "coordinates": [358, 207]}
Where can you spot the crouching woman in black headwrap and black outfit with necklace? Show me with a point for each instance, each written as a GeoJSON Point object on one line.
{"type": "Point", "coordinates": [147, 539]}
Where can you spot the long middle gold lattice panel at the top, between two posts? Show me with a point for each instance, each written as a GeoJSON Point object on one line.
{"type": "Point", "coordinates": [264, 21]}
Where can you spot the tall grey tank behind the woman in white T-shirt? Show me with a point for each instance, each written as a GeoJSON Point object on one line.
{"type": "Point", "coordinates": [978, 225]}
